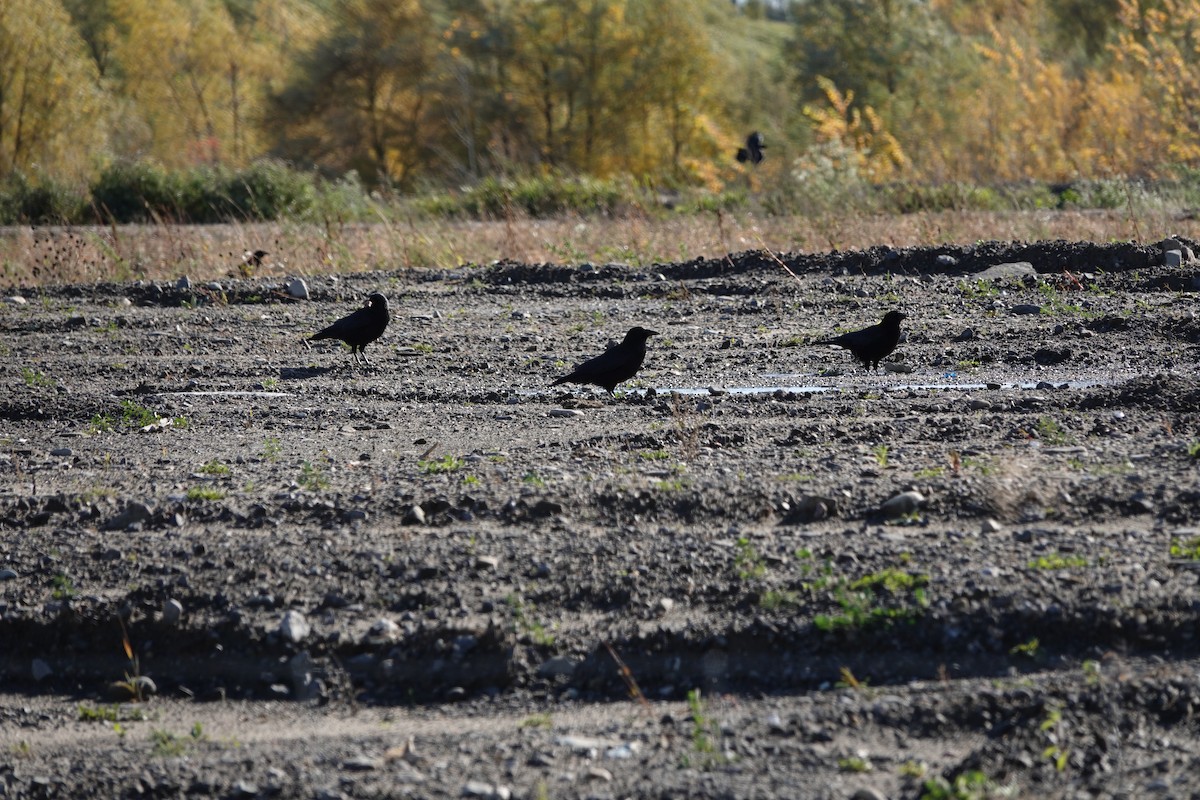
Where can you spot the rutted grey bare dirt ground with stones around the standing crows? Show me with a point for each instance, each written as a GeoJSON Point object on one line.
{"type": "Point", "coordinates": [970, 575]}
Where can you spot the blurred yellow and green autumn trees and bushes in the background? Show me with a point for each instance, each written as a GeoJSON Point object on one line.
{"type": "Point", "coordinates": [208, 111]}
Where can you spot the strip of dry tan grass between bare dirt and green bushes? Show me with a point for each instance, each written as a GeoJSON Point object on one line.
{"type": "Point", "coordinates": [83, 255]}
